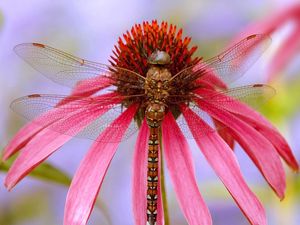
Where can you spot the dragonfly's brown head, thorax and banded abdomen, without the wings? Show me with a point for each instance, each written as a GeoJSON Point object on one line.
{"type": "Point", "coordinates": [156, 89]}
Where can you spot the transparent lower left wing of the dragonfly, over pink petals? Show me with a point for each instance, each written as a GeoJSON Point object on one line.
{"type": "Point", "coordinates": [84, 117]}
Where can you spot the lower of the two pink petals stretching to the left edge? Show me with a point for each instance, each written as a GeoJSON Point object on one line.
{"type": "Point", "coordinates": [48, 141]}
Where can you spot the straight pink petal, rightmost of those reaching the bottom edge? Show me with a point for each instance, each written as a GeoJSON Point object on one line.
{"type": "Point", "coordinates": [225, 164]}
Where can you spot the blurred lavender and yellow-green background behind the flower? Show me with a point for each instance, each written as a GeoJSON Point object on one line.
{"type": "Point", "coordinates": [90, 29]}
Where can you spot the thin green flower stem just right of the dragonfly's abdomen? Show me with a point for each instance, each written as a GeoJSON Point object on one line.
{"type": "Point", "coordinates": [162, 181]}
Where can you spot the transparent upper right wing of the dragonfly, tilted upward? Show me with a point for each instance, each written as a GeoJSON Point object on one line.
{"type": "Point", "coordinates": [231, 64]}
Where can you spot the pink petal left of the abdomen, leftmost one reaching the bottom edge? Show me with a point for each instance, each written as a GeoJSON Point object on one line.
{"type": "Point", "coordinates": [88, 178]}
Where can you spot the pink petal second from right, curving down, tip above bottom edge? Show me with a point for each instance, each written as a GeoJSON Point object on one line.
{"type": "Point", "coordinates": [261, 151]}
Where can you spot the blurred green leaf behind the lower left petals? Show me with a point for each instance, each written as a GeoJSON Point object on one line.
{"type": "Point", "coordinates": [45, 171]}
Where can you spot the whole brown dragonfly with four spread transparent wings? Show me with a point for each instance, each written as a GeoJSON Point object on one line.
{"type": "Point", "coordinates": [110, 90]}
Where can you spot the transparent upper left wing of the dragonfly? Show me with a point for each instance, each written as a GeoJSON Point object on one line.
{"type": "Point", "coordinates": [66, 69]}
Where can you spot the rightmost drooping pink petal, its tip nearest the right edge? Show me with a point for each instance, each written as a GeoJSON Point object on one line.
{"type": "Point", "coordinates": [257, 121]}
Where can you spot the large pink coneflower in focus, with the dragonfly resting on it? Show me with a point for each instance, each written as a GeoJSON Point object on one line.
{"type": "Point", "coordinates": [161, 91]}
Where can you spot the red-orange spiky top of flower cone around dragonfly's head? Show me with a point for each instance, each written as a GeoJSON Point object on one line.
{"type": "Point", "coordinates": [137, 45]}
